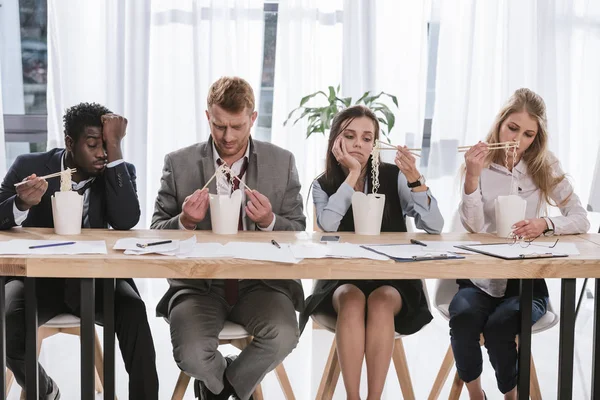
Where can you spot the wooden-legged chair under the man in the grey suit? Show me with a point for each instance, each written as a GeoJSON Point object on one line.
{"type": "Point", "coordinates": [237, 336]}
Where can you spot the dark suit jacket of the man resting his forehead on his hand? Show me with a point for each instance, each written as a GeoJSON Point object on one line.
{"type": "Point", "coordinates": [113, 199]}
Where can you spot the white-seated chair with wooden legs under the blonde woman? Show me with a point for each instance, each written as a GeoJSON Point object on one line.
{"type": "Point", "coordinates": [445, 291]}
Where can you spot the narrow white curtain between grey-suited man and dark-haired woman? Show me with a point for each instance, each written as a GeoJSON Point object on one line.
{"type": "Point", "coordinates": [308, 59]}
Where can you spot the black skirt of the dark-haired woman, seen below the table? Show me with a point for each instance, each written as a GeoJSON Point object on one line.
{"type": "Point", "coordinates": [413, 316]}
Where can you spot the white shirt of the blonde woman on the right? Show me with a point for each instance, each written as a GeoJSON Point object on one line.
{"type": "Point", "coordinates": [477, 210]}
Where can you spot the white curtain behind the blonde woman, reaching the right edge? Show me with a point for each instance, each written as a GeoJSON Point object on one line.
{"type": "Point", "coordinates": [486, 51]}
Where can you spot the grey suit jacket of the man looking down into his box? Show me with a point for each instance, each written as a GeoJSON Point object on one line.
{"type": "Point", "coordinates": [271, 170]}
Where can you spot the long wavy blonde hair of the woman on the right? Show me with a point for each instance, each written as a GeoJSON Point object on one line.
{"type": "Point", "coordinates": [537, 155]}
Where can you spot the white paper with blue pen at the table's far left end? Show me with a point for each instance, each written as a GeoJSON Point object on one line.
{"type": "Point", "coordinates": [20, 246]}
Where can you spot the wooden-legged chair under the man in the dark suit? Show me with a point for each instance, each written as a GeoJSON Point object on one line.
{"type": "Point", "coordinates": [69, 324]}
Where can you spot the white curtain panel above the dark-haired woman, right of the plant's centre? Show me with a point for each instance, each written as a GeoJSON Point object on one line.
{"type": "Point", "coordinates": [385, 49]}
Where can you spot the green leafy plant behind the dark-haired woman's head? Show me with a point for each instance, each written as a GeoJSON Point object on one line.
{"type": "Point", "coordinates": [319, 118]}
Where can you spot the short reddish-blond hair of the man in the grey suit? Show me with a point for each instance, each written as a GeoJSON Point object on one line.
{"type": "Point", "coordinates": [231, 93]}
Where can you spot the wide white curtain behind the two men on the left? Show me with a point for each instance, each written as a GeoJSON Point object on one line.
{"type": "Point", "coordinates": [153, 62]}
